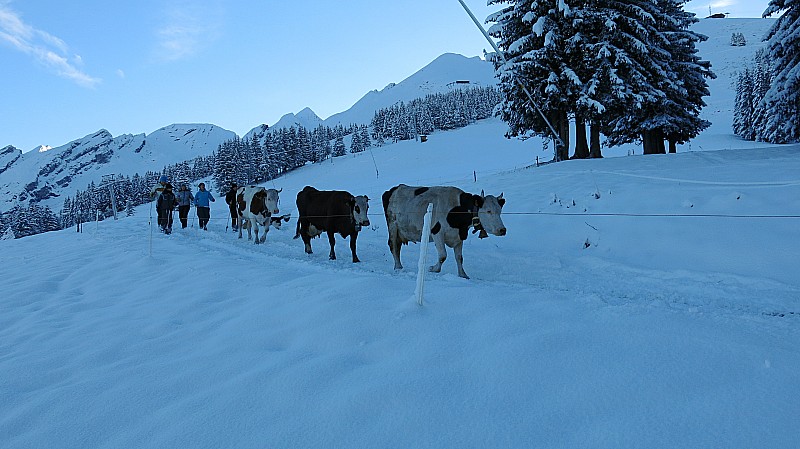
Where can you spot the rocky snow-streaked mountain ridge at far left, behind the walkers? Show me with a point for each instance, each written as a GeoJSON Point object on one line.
{"type": "Point", "coordinates": [49, 176]}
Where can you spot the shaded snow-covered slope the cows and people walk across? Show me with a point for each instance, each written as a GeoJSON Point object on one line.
{"type": "Point", "coordinates": [637, 301]}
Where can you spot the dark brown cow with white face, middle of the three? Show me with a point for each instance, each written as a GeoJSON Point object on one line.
{"type": "Point", "coordinates": [331, 211]}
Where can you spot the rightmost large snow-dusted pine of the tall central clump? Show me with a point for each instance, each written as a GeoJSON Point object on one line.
{"type": "Point", "coordinates": [664, 74]}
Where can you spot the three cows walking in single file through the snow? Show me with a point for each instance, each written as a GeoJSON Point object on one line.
{"type": "Point", "coordinates": [340, 212]}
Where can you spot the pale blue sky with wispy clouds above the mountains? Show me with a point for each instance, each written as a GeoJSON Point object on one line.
{"type": "Point", "coordinates": [72, 68]}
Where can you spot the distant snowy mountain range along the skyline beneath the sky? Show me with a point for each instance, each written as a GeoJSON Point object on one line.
{"type": "Point", "coordinates": [50, 174]}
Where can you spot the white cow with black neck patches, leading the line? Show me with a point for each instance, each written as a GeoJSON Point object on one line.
{"type": "Point", "coordinates": [454, 212]}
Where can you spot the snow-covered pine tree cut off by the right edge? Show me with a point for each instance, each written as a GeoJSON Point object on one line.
{"type": "Point", "coordinates": [782, 100]}
